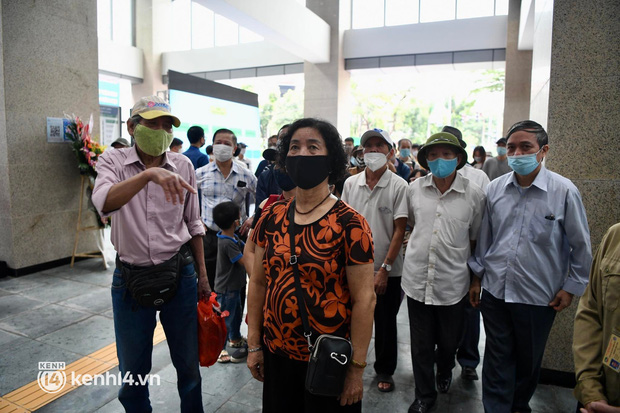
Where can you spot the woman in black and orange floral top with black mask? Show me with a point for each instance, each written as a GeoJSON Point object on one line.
{"type": "Point", "coordinates": [334, 246]}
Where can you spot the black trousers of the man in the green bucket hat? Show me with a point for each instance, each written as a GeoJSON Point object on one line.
{"type": "Point", "coordinates": [433, 326]}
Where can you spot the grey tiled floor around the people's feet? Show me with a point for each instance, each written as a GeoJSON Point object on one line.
{"type": "Point", "coordinates": [65, 313]}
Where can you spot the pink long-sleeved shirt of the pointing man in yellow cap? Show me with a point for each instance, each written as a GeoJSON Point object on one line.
{"type": "Point", "coordinates": [147, 230]}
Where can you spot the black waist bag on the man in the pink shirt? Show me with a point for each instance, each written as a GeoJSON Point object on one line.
{"type": "Point", "coordinates": [156, 285]}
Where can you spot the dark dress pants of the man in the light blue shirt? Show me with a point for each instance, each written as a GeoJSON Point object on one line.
{"type": "Point", "coordinates": [516, 337]}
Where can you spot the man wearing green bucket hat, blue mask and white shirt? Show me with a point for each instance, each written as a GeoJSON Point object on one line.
{"type": "Point", "coordinates": [445, 211]}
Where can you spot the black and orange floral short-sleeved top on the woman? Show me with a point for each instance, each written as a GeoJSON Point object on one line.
{"type": "Point", "coordinates": [324, 248]}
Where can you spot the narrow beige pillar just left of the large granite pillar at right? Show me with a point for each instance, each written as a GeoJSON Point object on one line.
{"type": "Point", "coordinates": [518, 72]}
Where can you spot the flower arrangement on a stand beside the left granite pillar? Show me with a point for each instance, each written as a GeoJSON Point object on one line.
{"type": "Point", "coordinates": [87, 152]}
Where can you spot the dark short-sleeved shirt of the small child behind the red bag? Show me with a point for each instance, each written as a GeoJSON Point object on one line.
{"type": "Point", "coordinates": [229, 272]}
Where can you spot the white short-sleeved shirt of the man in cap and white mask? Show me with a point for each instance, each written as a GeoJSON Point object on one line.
{"type": "Point", "coordinates": [381, 207]}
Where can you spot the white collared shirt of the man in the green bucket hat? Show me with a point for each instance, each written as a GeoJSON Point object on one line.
{"type": "Point", "coordinates": [435, 270]}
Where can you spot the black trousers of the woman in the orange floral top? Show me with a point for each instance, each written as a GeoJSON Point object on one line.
{"type": "Point", "coordinates": [284, 389]}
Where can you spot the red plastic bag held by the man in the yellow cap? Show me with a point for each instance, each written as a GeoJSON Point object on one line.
{"type": "Point", "coordinates": [211, 331]}
